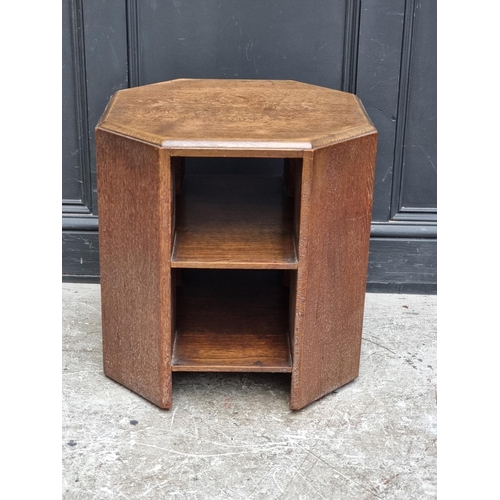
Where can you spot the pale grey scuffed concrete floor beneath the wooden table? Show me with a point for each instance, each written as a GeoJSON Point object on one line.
{"type": "Point", "coordinates": [232, 436]}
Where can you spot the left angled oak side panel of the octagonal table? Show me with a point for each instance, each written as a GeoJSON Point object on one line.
{"type": "Point", "coordinates": [134, 185]}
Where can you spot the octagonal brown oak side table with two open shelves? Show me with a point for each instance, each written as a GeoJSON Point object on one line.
{"type": "Point", "coordinates": [231, 272]}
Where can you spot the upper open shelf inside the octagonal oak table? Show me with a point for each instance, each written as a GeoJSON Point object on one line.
{"type": "Point", "coordinates": [234, 221]}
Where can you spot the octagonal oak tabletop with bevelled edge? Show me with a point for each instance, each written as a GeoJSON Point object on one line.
{"type": "Point", "coordinates": [265, 115]}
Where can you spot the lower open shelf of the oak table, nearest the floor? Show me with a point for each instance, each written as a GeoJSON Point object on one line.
{"type": "Point", "coordinates": [232, 321]}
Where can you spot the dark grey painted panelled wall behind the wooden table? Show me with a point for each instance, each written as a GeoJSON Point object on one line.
{"type": "Point", "coordinates": [382, 50]}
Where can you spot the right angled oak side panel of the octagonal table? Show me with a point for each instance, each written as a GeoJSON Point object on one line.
{"type": "Point", "coordinates": [336, 203]}
